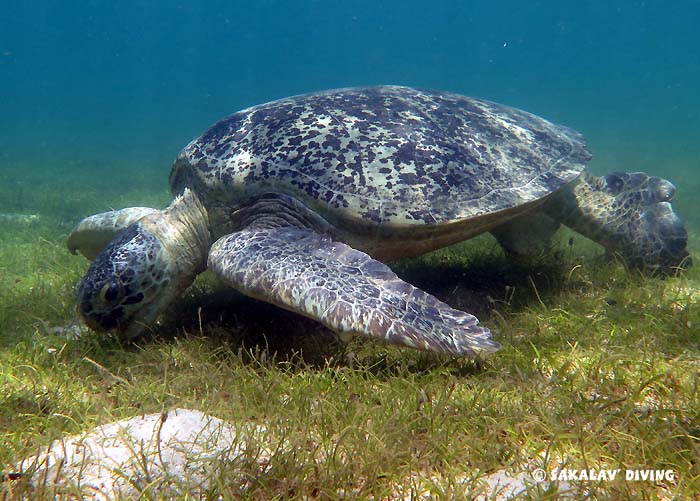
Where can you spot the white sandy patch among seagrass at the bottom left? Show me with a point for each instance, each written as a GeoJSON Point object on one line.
{"type": "Point", "coordinates": [171, 454]}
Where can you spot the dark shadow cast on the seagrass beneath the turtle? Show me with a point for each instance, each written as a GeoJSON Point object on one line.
{"type": "Point", "coordinates": [258, 329]}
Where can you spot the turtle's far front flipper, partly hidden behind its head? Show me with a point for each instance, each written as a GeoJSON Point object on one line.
{"type": "Point", "coordinates": [93, 233]}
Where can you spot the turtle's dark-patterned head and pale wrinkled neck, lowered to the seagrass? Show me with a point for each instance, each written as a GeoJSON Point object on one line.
{"type": "Point", "coordinates": [144, 268]}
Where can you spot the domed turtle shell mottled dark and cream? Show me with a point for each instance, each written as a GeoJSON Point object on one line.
{"type": "Point", "coordinates": [388, 155]}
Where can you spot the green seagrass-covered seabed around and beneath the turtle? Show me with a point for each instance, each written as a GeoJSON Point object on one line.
{"type": "Point", "coordinates": [598, 370]}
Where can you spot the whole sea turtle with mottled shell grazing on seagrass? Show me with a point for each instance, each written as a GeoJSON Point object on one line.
{"type": "Point", "coordinates": [295, 201]}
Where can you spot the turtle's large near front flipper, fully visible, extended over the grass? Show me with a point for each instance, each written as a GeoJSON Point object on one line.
{"type": "Point", "coordinates": [343, 288]}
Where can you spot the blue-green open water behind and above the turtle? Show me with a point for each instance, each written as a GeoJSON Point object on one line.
{"type": "Point", "coordinates": [105, 89]}
